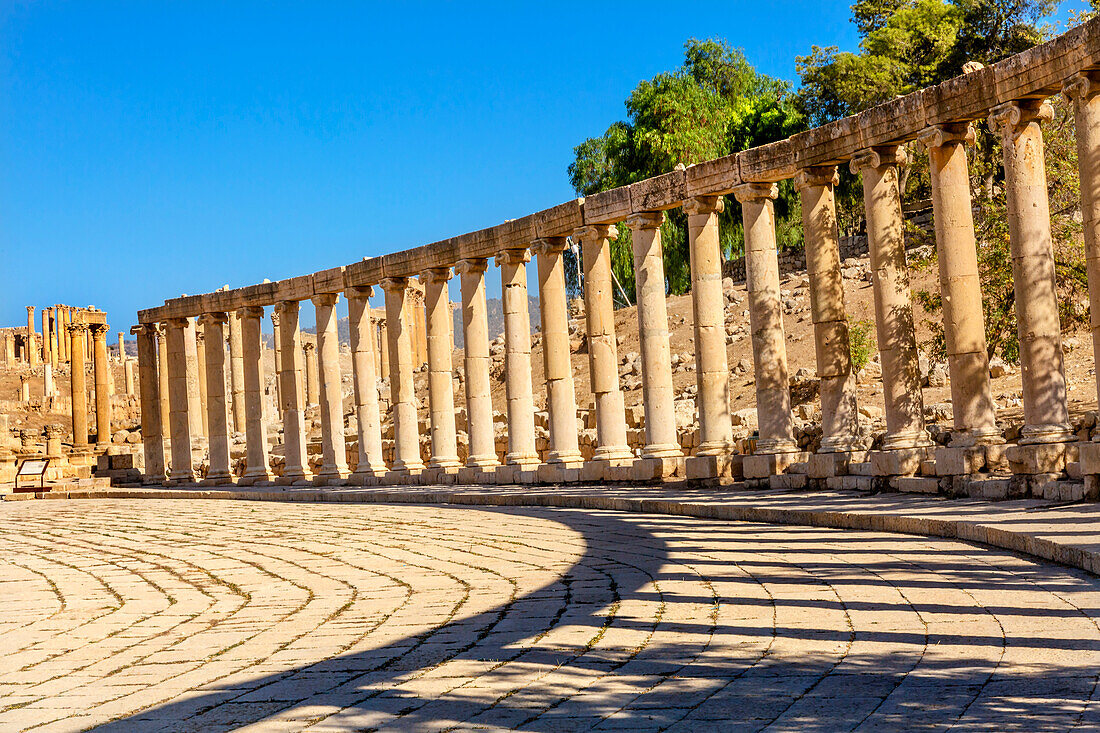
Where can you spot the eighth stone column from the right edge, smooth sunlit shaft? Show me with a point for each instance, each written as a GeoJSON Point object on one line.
{"type": "Point", "coordinates": [663, 455]}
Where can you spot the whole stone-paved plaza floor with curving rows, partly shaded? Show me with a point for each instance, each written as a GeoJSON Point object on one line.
{"type": "Point", "coordinates": [205, 616]}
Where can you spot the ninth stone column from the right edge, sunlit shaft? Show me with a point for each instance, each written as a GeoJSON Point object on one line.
{"type": "Point", "coordinates": [612, 446]}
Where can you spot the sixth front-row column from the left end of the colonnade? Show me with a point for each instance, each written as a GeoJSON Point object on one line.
{"type": "Point", "coordinates": [334, 451]}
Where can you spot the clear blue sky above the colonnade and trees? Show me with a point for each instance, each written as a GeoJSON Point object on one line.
{"type": "Point", "coordinates": [155, 149]}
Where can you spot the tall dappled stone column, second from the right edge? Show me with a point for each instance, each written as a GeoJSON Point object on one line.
{"type": "Point", "coordinates": [1047, 415]}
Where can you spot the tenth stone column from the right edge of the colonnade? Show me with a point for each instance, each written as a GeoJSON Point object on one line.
{"type": "Point", "coordinates": [565, 453]}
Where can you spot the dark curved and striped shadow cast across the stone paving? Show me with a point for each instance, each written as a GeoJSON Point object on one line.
{"type": "Point", "coordinates": [515, 684]}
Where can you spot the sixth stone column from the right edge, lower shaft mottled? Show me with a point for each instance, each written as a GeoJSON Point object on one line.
{"type": "Point", "coordinates": [766, 319]}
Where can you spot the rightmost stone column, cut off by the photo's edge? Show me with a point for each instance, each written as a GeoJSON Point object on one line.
{"type": "Point", "coordinates": [1083, 91]}
